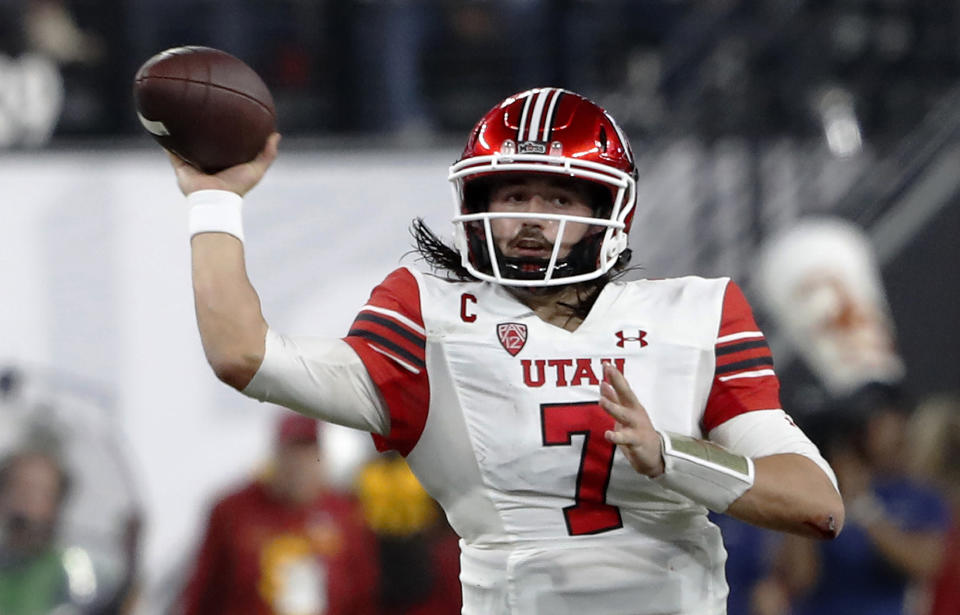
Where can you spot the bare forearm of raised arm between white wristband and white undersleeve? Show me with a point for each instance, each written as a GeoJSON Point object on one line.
{"type": "Point", "coordinates": [232, 327]}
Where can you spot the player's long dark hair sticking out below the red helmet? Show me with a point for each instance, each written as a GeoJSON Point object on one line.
{"type": "Point", "coordinates": [445, 261]}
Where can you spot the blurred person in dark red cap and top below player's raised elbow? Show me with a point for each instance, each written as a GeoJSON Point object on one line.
{"type": "Point", "coordinates": [287, 544]}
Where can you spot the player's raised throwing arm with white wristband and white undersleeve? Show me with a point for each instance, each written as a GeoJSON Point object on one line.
{"type": "Point", "coordinates": [321, 378]}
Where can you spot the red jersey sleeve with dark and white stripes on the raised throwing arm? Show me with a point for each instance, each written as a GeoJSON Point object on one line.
{"type": "Point", "coordinates": [389, 337]}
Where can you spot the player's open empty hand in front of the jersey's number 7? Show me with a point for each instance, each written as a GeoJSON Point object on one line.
{"type": "Point", "coordinates": [633, 432]}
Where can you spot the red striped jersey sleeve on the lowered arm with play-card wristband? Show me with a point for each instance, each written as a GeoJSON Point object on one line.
{"type": "Point", "coordinates": [743, 378]}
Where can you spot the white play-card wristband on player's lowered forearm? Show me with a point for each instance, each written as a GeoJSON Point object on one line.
{"type": "Point", "coordinates": [706, 473]}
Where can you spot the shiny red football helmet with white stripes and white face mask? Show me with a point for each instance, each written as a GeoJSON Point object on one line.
{"type": "Point", "coordinates": [545, 131]}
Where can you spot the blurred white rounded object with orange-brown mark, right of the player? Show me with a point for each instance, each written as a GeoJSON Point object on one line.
{"type": "Point", "coordinates": [820, 281]}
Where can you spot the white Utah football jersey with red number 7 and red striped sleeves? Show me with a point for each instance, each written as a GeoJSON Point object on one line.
{"type": "Point", "coordinates": [497, 414]}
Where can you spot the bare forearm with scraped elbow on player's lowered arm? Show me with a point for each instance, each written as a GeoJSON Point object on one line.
{"type": "Point", "coordinates": [791, 493]}
